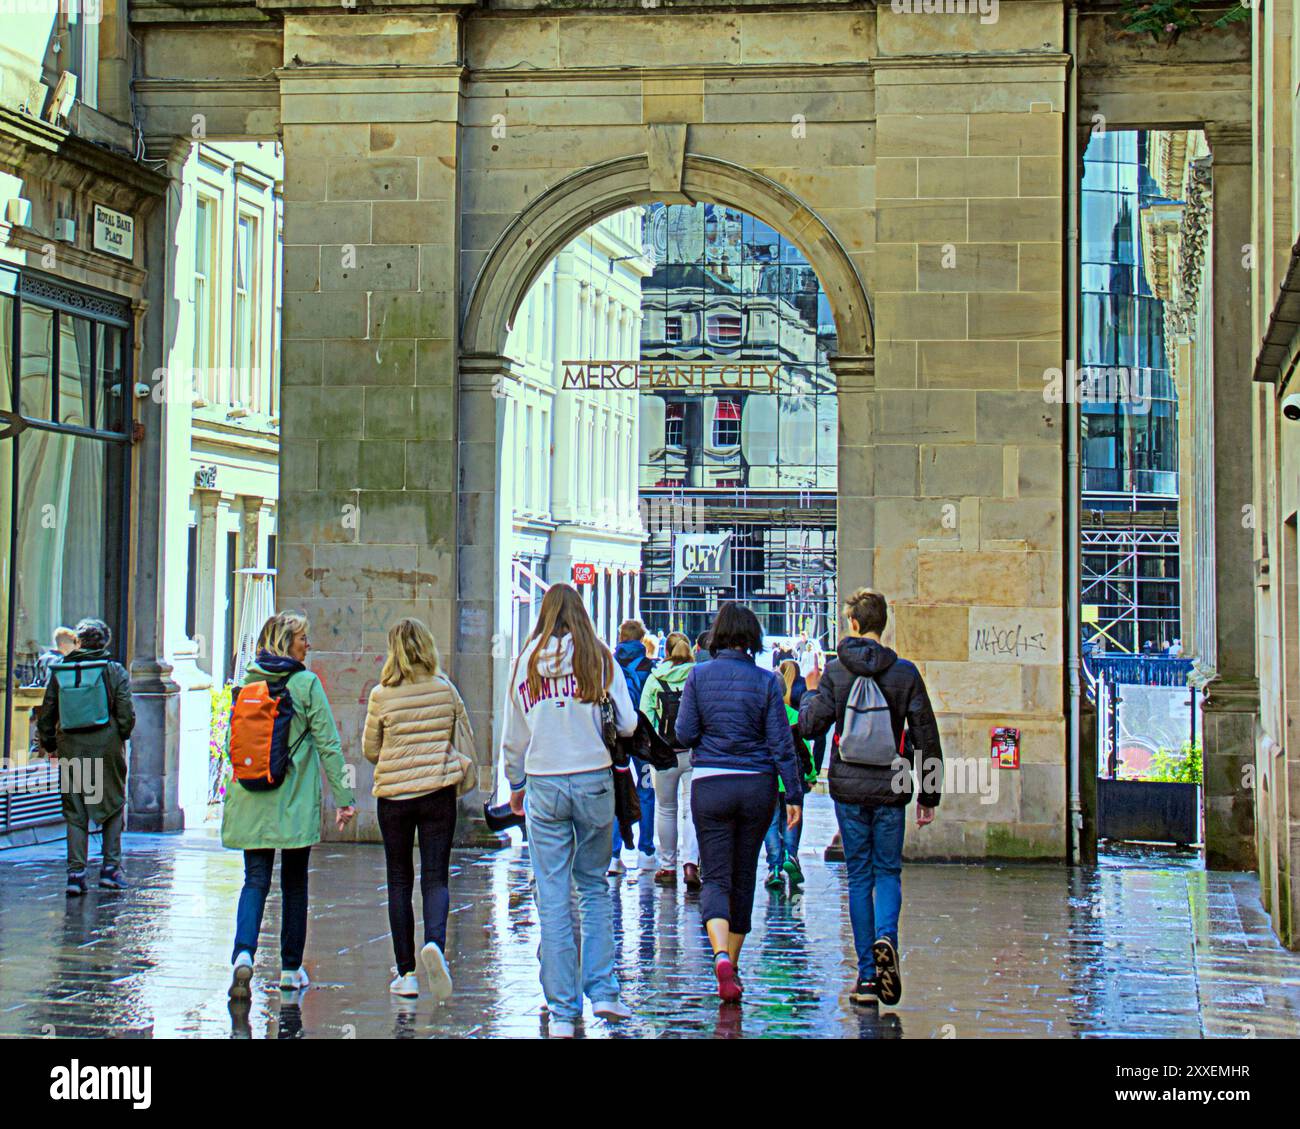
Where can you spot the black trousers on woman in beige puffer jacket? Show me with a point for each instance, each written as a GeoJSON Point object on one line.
{"type": "Point", "coordinates": [435, 819]}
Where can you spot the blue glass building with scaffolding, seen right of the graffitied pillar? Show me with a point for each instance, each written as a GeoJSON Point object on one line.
{"type": "Point", "coordinates": [1129, 412]}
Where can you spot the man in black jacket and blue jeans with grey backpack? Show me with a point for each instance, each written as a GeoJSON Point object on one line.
{"type": "Point", "coordinates": [872, 803]}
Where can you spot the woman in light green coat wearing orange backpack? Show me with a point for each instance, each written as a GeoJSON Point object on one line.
{"type": "Point", "coordinates": [287, 819]}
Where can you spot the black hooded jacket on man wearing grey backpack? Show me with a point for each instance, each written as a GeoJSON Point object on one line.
{"type": "Point", "coordinates": [911, 712]}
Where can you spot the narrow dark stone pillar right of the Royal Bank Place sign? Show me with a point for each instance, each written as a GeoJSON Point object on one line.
{"type": "Point", "coordinates": [154, 773]}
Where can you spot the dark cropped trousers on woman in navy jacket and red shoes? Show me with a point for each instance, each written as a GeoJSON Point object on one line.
{"type": "Point", "coordinates": [731, 815]}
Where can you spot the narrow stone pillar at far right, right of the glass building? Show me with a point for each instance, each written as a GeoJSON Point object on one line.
{"type": "Point", "coordinates": [1233, 691]}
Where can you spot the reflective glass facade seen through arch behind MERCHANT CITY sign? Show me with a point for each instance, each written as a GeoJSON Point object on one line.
{"type": "Point", "coordinates": [762, 464]}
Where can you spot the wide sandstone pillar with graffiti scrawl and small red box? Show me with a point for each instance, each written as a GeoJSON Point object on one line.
{"type": "Point", "coordinates": [965, 456]}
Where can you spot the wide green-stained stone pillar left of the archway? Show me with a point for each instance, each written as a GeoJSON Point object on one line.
{"type": "Point", "coordinates": [367, 513]}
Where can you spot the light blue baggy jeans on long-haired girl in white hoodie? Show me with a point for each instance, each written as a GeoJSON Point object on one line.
{"type": "Point", "coordinates": [570, 821]}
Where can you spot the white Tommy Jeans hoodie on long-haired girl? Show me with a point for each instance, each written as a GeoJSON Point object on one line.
{"type": "Point", "coordinates": [556, 734]}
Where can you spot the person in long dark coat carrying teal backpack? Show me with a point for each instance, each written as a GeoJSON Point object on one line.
{"type": "Point", "coordinates": [85, 721]}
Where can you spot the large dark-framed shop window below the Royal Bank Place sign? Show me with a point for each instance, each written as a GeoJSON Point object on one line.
{"type": "Point", "coordinates": [64, 540]}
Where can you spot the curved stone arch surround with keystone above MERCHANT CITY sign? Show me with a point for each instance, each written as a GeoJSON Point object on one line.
{"type": "Point", "coordinates": [521, 253]}
